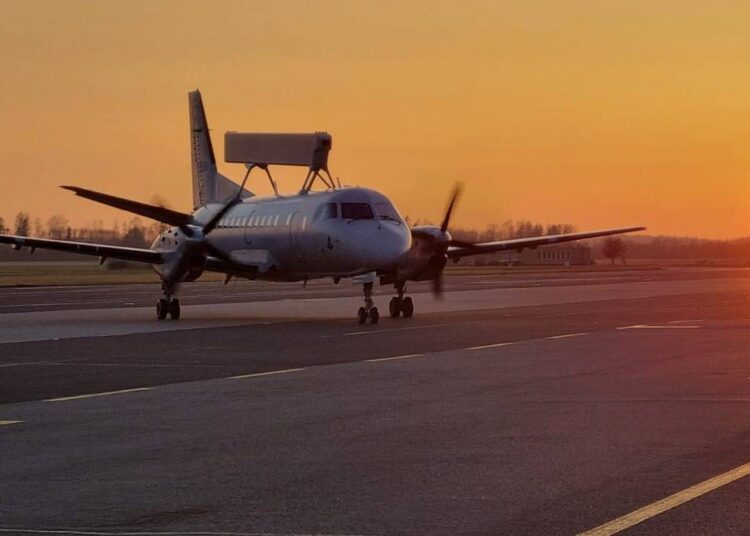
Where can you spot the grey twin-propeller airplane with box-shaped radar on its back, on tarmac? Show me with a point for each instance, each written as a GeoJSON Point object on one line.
{"type": "Point", "coordinates": [340, 232]}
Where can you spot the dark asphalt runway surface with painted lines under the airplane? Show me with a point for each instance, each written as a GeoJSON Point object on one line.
{"type": "Point", "coordinates": [529, 404]}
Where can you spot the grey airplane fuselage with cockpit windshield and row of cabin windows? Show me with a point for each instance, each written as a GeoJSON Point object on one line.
{"type": "Point", "coordinates": [336, 233]}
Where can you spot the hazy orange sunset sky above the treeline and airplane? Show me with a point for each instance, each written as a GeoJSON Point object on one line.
{"type": "Point", "coordinates": [599, 113]}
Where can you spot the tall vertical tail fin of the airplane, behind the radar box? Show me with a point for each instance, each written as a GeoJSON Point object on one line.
{"type": "Point", "coordinates": [209, 186]}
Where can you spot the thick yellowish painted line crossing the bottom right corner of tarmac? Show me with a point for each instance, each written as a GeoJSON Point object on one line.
{"type": "Point", "coordinates": [667, 503]}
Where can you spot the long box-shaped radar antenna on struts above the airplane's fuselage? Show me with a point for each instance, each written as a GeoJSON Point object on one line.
{"type": "Point", "coordinates": [260, 150]}
